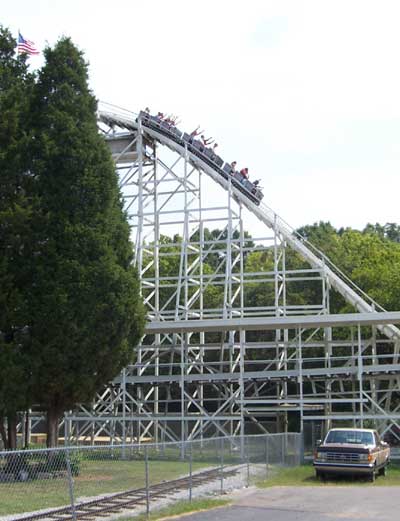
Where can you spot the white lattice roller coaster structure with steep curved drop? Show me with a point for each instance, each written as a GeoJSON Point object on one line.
{"type": "Point", "coordinates": [201, 370]}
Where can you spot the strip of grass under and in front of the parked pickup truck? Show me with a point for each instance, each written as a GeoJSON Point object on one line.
{"type": "Point", "coordinates": [304, 476]}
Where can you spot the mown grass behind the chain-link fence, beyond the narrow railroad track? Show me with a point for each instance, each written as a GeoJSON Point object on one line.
{"type": "Point", "coordinates": [96, 477]}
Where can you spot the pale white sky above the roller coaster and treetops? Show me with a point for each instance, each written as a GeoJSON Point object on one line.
{"type": "Point", "coordinates": [304, 93]}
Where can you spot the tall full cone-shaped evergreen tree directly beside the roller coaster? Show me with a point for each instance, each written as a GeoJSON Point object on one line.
{"type": "Point", "coordinates": [86, 312]}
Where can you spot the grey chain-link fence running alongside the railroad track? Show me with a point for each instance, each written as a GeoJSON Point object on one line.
{"type": "Point", "coordinates": [82, 481]}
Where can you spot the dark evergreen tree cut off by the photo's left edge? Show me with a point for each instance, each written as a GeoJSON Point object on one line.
{"type": "Point", "coordinates": [15, 210]}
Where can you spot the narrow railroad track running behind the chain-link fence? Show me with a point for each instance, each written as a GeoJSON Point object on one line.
{"type": "Point", "coordinates": [114, 503]}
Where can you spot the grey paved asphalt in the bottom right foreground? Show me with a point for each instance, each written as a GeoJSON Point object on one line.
{"type": "Point", "coordinates": [309, 504]}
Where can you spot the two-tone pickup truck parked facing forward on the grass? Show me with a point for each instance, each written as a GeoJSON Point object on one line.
{"type": "Point", "coordinates": [351, 451]}
